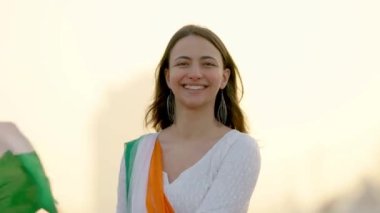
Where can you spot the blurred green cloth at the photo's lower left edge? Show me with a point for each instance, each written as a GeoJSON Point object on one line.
{"type": "Point", "coordinates": [24, 188]}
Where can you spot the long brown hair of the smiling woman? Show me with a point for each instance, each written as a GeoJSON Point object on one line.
{"type": "Point", "coordinates": [157, 116]}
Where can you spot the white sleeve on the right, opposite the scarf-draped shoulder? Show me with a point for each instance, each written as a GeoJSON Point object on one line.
{"type": "Point", "coordinates": [235, 181]}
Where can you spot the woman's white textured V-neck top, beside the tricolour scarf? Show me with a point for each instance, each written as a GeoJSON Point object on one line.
{"type": "Point", "coordinates": [222, 181]}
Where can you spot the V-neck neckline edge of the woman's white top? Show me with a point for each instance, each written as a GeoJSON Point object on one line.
{"type": "Point", "coordinates": [187, 170]}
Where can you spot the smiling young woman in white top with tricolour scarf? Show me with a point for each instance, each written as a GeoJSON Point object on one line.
{"type": "Point", "coordinates": [200, 159]}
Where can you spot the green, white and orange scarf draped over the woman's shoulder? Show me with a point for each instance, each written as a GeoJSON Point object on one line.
{"type": "Point", "coordinates": [144, 183]}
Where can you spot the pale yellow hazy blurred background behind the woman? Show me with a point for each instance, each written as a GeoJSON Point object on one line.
{"type": "Point", "coordinates": [76, 77]}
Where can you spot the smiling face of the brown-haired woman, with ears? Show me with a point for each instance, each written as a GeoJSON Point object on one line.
{"type": "Point", "coordinates": [196, 72]}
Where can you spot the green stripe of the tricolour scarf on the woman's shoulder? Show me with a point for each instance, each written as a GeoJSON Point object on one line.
{"type": "Point", "coordinates": [130, 149]}
